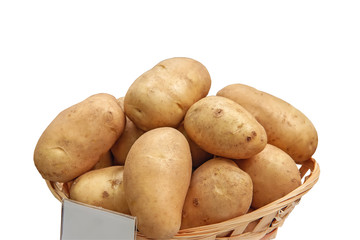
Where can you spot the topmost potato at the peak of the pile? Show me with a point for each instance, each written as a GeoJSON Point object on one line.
{"type": "Point", "coordinates": [161, 96]}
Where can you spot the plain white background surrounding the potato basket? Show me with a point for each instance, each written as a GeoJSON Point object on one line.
{"type": "Point", "coordinates": [54, 54]}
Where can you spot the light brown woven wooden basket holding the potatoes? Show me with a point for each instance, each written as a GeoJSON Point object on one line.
{"type": "Point", "coordinates": [260, 224]}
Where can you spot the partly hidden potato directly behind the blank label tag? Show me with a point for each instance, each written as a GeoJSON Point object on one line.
{"type": "Point", "coordinates": [102, 188]}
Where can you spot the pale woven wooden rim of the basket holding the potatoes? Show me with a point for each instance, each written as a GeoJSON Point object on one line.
{"type": "Point", "coordinates": [211, 229]}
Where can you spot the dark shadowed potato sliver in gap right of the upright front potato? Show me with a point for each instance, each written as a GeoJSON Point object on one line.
{"type": "Point", "coordinates": [198, 155]}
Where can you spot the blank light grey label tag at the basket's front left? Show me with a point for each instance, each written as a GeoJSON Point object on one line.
{"type": "Point", "coordinates": [83, 222]}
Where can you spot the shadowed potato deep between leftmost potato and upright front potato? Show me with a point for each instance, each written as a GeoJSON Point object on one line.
{"type": "Point", "coordinates": [122, 146]}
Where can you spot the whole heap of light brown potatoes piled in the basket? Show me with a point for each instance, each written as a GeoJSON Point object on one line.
{"type": "Point", "coordinates": [173, 156]}
